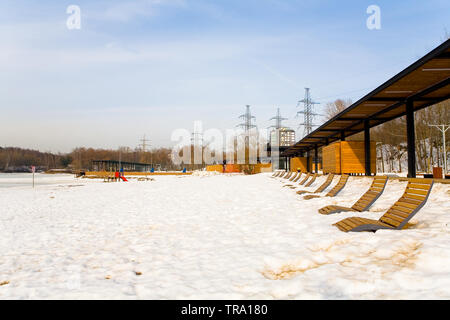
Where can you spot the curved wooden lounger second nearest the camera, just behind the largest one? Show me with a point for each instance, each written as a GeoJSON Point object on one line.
{"type": "Point", "coordinates": [365, 202]}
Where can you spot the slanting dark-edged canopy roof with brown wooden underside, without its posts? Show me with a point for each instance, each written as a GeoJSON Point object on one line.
{"type": "Point", "coordinates": [425, 82]}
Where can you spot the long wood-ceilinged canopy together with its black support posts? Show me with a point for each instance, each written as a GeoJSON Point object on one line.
{"type": "Point", "coordinates": [424, 83]}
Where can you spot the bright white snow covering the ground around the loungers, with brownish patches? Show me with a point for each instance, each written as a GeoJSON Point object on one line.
{"type": "Point", "coordinates": [214, 237]}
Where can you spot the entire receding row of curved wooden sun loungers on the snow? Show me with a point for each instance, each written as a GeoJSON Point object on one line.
{"type": "Point", "coordinates": [397, 217]}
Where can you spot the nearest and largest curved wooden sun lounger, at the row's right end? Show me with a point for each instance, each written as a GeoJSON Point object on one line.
{"type": "Point", "coordinates": [414, 198]}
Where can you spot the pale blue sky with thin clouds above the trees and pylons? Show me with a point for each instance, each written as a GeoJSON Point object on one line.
{"type": "Point", "coordinates": [151, 66]}
